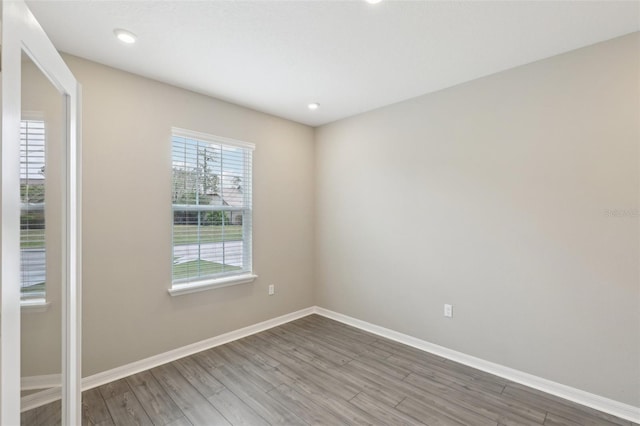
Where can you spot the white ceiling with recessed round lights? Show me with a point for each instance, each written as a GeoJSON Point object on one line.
{"type": "Point", "coordinates": [350, 56]}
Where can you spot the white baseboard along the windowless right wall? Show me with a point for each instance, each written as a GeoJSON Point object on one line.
{"type": "Point", "coordinates": [619, 409]}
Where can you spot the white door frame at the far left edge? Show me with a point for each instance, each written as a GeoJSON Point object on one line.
{"type": "Point", "coordinates": [22, 33]}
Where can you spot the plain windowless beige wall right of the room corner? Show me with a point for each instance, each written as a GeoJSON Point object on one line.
{"type": "Point", "coordinates": [493, 196]}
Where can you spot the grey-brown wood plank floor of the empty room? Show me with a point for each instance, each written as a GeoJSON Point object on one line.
{"type": "Point", "coordinates": [315, 371]}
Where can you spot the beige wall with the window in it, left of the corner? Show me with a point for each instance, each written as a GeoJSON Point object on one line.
{"type": "Point", "coordinates": [127, 313]}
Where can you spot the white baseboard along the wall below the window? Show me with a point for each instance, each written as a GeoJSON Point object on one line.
{"type": "Point", "coordinates": [49, 395]}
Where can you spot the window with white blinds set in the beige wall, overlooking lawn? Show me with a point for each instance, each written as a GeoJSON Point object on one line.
{"type": "Point", "coordinates": [211, 200]}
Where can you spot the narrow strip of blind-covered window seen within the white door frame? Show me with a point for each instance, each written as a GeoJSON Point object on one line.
{"type": "Point", "coordinates": [32, 211]}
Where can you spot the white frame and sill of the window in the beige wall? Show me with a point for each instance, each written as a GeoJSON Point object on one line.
{"type": "Point", "coordinates": [186, 286]}
